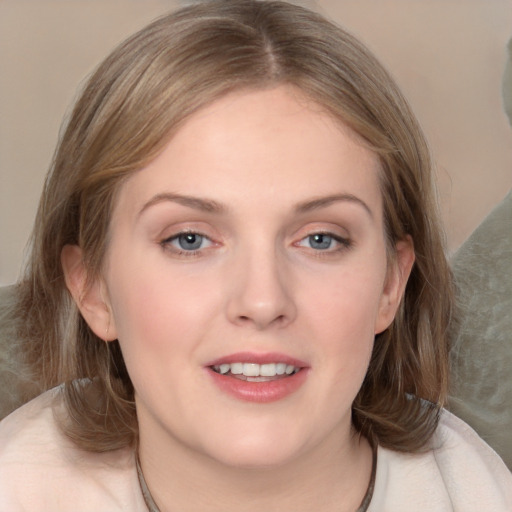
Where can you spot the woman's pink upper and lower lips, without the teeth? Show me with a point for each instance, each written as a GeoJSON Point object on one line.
{"type": "Point", "coordinates": [259, 392]}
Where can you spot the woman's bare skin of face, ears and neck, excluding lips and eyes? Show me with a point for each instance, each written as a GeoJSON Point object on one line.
{"type": "Point", "coordinates": [258, 284]}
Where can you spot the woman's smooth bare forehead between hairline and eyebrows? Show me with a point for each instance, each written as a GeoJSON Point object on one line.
{"type": "Point", "coordinates": [273, 145]}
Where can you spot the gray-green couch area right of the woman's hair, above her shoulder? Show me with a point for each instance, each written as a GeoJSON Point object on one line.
{"type": "Point", "coordinates": [482, 350]}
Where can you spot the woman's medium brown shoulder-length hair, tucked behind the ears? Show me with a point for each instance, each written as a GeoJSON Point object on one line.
{"type": "Point", "coordinates": [130, 107]}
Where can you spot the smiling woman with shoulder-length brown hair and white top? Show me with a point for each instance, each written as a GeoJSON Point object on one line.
{"type": "Point", "coordinates": [238, 286]}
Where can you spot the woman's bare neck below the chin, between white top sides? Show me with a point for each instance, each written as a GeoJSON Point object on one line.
{"type": "Point", "coordinates": [323, 478]}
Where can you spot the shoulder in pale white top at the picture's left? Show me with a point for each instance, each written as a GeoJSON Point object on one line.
{"type": "Point", "coordinates": [41, 470]}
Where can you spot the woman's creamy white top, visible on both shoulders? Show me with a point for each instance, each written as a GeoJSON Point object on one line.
{"type": "Point", "coordinates": [42, 471]}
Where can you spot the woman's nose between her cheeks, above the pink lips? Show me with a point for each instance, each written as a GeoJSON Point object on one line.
{"type": "Point", "coordinates": [261, 291]}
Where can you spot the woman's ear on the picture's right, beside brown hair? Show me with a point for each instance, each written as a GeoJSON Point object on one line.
{"type": "Point", "coordinates": [399, 269]}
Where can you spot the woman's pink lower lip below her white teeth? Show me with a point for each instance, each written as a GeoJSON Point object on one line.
{"type": "Point", "coordinates": [261, 392]}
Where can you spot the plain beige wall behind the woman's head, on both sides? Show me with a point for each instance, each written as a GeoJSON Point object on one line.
{"type": "Point", "coordinates": [448, 56]}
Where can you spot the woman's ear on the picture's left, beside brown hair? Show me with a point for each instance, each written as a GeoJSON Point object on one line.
{"type": "Point", "coordinates": [90, 296]}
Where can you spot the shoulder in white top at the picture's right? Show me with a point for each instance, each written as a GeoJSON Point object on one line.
{"type": "Point", "coordinates": [458, 472]}
